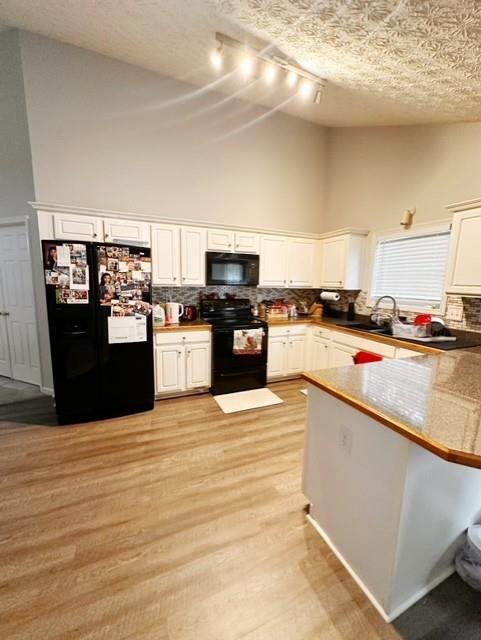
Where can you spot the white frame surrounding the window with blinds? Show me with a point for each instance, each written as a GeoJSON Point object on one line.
{"type": "Point", "coordinates": [395, 234]}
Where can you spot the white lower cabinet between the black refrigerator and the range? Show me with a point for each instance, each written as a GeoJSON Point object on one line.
{"type": "Point", "coordinates": [182, 361]}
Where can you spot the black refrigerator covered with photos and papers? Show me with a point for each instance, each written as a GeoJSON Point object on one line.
{"type": "Point", "coordinates": [100, 326]}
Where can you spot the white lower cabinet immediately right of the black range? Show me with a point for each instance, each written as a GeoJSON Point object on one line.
{"type": "Point", "coordinates": [286, 351]}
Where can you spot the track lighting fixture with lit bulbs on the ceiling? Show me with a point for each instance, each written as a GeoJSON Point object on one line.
{"type": "Point", "coordinates": [271, 65]}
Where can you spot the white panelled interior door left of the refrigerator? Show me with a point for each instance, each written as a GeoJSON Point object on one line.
{"type": "Point", "coordinates": [17, 287]}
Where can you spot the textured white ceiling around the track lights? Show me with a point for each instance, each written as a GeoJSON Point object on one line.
{"type": "Point", "coordinates": [386, 61]}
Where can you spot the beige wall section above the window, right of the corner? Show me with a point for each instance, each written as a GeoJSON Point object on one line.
{"type": "Point", "coordinates": [375, 173]}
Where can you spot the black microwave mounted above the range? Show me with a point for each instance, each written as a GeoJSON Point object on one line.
{"type": "Point", "coordinates": [232, 269]}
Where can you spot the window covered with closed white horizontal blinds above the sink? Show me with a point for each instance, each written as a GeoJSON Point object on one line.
{"type": "Point", "coordinates": [411, 268]}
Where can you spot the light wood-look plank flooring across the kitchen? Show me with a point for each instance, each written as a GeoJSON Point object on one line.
{"type": "Point", "coordinates": [180, 524]}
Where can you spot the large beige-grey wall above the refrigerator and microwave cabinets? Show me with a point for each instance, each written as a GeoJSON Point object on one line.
{"type": "Point", "coordinates": [102, 136]}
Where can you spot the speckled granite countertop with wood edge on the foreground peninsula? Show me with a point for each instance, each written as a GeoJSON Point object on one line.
{"type": "Point", "coordinates": [434, 401]}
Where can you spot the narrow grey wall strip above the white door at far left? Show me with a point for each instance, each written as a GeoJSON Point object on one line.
{"type": "Point", "coordinates": [16, 180]}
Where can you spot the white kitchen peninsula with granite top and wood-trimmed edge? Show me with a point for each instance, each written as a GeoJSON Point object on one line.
{"type": "Point", "coordinates": [392, 469]}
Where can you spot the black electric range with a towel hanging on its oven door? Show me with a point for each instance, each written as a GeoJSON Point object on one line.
{"type": "Point", "coordinates": [232, 371]}
